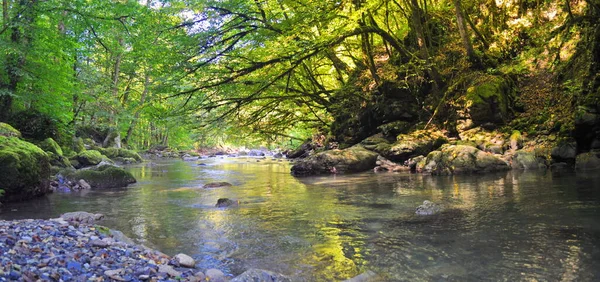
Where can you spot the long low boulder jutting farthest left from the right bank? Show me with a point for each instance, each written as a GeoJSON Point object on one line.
{"type": "Point", "coordinates": [353, 159]}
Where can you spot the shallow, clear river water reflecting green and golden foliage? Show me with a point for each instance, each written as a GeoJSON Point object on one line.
{"type": "Point", "coordinates": [516, 226]}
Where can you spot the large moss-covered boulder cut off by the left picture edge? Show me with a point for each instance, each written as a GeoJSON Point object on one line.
{"type": "Point", "coordinates": [24, 169]}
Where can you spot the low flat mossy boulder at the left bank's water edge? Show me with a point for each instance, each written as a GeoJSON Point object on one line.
{"type": "Point", "coordinates": [105, 176]}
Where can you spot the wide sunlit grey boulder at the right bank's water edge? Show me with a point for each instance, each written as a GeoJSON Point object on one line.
{"type": "Point", "coordinates": [454, 159]}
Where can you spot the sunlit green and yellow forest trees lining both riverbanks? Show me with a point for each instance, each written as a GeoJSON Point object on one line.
{"type": "Point", "coordinates": [190, 74]}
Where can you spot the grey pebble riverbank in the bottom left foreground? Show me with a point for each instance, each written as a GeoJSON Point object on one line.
{"type": "Point", "coordinates": [60, 250]}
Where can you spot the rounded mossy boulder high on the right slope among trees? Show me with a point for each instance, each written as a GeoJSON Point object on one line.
{"type": "Point", "coordinates": [489, 99]}
